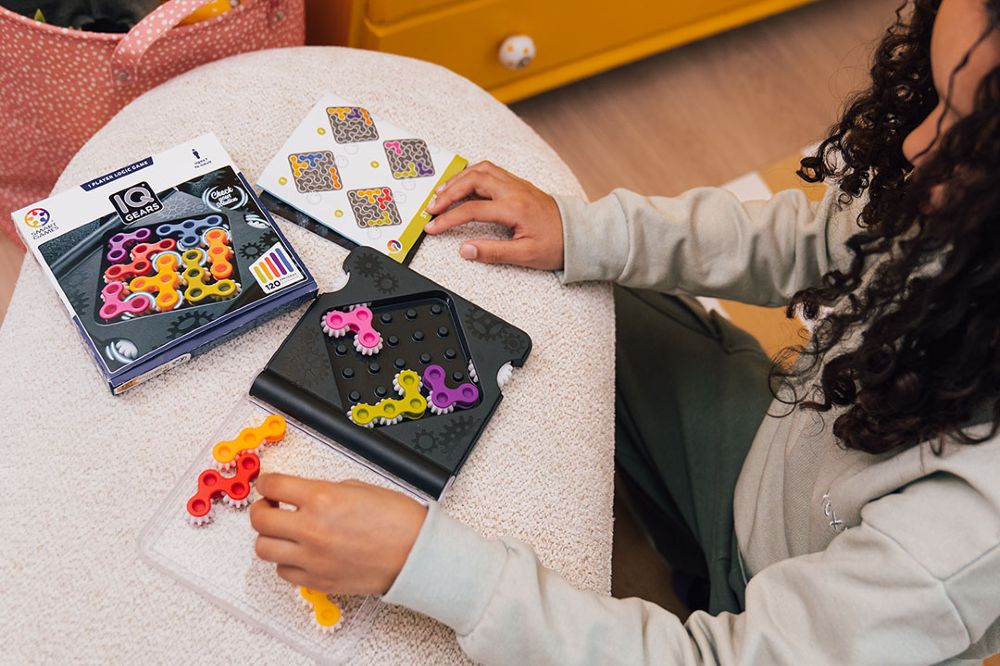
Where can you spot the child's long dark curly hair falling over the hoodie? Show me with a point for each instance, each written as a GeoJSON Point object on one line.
{"type": "Point", "coordinates": [914, 321]}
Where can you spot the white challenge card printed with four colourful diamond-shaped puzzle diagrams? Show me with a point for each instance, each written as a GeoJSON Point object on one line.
{"type": "Point", "coordinates": [345, 170]}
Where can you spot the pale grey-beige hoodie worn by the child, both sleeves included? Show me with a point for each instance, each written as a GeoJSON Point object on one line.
{"type": "Point", "coordinates": [852, 558]}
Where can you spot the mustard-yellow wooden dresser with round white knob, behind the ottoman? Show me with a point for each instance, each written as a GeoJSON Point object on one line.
{"type": "Point", "coordinates": [569, 39]}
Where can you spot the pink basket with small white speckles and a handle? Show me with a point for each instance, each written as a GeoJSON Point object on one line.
{"type": "Point", "coordinates": [59, 86]}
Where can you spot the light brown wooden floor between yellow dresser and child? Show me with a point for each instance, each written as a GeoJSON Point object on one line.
{"type": "Point", "coordinates": [703, 115]}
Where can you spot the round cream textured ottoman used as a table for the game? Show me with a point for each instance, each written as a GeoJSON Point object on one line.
{"type": "Point", "coordinates": [81, 471]}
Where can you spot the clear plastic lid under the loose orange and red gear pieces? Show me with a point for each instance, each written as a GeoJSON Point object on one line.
{"type": "Point", "coordinates": [218, 559]}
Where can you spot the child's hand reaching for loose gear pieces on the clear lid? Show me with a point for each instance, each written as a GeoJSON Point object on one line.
{"type": "Point", "coordinates": [344, 538]}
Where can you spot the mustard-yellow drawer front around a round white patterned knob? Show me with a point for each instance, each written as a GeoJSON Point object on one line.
{"type": "Point", "coordinates": [465, 37]}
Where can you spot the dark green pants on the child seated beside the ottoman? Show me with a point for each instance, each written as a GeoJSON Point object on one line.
{"type": "Point", "coordinates": [691, 391]}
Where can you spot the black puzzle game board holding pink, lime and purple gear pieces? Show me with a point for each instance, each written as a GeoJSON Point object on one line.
{"type": "Point", "coordinates": [395, 368]}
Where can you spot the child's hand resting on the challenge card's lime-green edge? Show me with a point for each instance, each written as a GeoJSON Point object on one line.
{"type": "Point", "coordinates": [504, 199]}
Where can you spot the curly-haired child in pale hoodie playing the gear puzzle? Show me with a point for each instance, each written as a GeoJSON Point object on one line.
{"type": "Point", "coordinates": [866, 515]}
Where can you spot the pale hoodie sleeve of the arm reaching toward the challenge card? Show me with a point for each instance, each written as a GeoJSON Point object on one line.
{"type": "Point", "coordinates": [707, 243]}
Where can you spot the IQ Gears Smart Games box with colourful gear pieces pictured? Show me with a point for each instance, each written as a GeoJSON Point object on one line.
{"type": "Point", "coordinates": [160, 259]}
